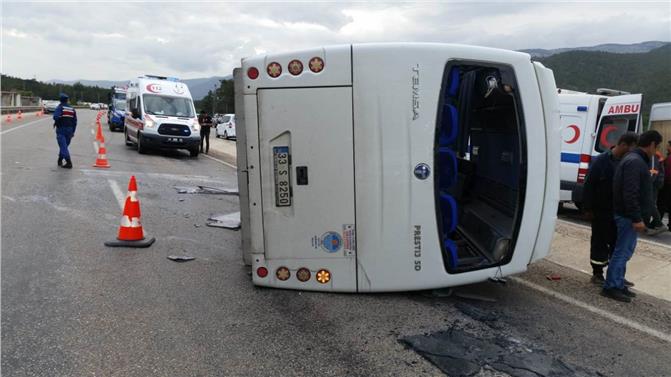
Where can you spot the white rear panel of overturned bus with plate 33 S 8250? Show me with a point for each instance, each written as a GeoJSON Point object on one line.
{"type": "Point", "coordinates": [307, 181]}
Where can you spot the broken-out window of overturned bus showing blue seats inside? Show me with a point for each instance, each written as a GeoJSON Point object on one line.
{"type": "Point", "coordinates": [480, 163]}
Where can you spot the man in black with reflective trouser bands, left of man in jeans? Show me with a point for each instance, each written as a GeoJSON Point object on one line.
{"type": "Point", "coordinates": [598, 203]}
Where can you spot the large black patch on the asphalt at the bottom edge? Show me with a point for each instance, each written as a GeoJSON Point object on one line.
{"type": "Point", "coordinates": [459, 353]}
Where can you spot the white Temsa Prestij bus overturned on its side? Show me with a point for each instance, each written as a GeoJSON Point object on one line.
{"type": "Point", "coordinates": [395, 167]}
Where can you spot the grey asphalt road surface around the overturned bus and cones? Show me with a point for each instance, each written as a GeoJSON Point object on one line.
{"type": "Point", "coordinates": [71, 307]}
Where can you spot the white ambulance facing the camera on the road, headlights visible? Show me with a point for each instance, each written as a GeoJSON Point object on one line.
{"type": "Point", "coordinates": [160, 114]}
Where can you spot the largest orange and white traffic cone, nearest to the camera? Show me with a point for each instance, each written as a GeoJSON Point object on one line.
{"type": "Point", "coordinates": [131, 233]}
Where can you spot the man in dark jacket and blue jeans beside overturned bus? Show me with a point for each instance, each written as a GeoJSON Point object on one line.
{"type": "Point", "coordinates": [632, 202]}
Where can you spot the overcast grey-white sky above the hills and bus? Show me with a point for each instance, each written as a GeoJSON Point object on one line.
{"type": "Point", "coordinates": [119, 40]}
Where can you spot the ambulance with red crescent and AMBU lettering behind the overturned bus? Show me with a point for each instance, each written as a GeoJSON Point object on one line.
{"type": "Point", "coordinates": [591, 124]}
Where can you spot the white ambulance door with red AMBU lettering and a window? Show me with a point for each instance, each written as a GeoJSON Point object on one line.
{"type": "Point", "coordinates": [619, 115]}
